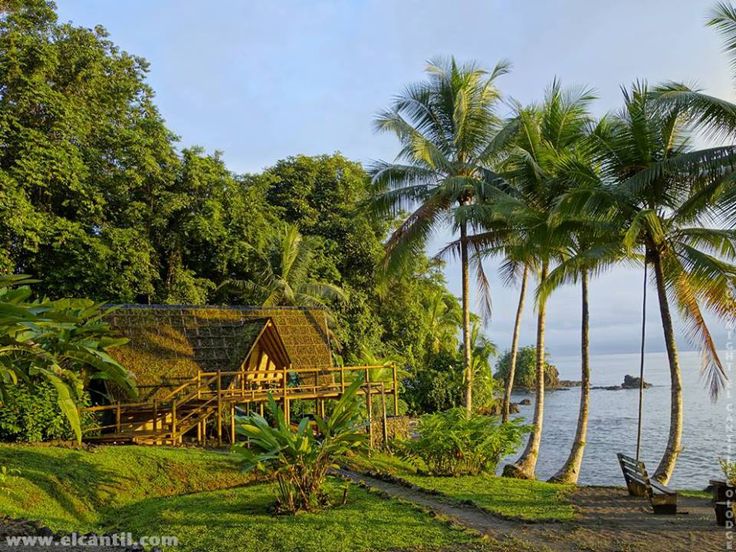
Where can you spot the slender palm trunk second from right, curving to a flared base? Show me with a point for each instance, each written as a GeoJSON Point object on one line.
{"type": "Point", "coordinates": [570, 471]}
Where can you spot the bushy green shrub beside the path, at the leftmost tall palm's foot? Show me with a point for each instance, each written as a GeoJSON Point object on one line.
{"type": "Point", "coordinates": [455, 443]}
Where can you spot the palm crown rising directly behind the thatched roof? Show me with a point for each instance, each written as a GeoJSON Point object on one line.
{"type": "Point", "coordinates": [285, 277]}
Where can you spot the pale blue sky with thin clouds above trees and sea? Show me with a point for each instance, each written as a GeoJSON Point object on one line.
{"type": "Point", "coordinates": [261, 80]}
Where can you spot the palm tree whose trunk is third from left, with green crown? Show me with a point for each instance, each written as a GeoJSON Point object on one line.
{"type": "Point", "coordinates": [541, 167]}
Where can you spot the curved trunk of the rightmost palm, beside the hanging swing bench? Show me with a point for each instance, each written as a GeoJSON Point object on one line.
{"type": "Point", "coordinates": [667, 463]}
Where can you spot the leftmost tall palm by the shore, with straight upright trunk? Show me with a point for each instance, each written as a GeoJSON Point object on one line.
{"type": "Point", "coordinates": [450, 134]}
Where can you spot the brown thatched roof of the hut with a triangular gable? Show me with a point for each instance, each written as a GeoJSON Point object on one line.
{"type": "Point", "coordinates": [170, 343]}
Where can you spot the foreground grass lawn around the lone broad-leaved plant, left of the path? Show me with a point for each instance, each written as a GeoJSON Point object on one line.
{"type": "Point", "coordinates": [239, 519]}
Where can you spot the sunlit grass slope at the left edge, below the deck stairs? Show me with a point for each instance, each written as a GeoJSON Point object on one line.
{"type": "Point", "coordinates": [74, 490]}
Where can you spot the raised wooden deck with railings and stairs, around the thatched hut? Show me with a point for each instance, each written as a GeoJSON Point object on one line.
{"type": "Point", "coordinates": [214, 396]}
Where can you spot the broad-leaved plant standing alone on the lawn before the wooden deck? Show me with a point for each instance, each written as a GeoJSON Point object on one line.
{"type": "Point", "coordinates": [298, 458]}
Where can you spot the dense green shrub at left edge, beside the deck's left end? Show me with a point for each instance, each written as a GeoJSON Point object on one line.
{"type": "Point", "coordinates": [31, 414]}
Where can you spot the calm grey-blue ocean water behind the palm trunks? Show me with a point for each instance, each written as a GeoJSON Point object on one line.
{"type": "Point", "coordinates": [613, 420]}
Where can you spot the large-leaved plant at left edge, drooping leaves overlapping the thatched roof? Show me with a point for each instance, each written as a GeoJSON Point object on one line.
{"type": "Point", "coordinates": [64, 342]}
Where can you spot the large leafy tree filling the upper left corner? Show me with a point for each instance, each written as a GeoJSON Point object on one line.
{"type": "Point", "coordinates": [85, 153]}
